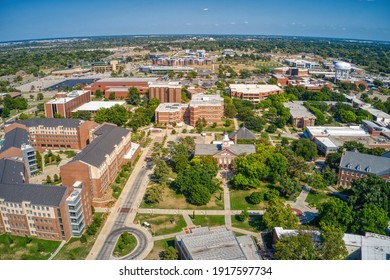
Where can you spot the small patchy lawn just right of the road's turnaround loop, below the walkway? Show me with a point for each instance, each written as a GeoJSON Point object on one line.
{"type": "Point", "coordinates": [162, 224]}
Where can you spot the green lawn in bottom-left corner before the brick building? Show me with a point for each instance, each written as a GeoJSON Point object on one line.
{"type": "Point", "coordinates": [25, 248]}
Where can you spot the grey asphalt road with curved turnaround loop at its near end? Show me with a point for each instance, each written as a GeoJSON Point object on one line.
{"type": "Point", "coordinates": [119, 224]}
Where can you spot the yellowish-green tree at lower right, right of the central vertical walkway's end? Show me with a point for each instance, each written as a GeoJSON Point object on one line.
{"type": "Point", "coordinates": [279, 215]}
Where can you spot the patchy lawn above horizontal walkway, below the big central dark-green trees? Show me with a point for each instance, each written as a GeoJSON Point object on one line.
{"type": "Point", "coordinates": [172, 200]}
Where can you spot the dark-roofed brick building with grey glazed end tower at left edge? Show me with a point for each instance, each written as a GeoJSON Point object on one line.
{"type": "Point", "coordinates": [17, 145]}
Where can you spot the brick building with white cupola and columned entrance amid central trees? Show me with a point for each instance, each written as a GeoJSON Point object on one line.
{"type": "Point", "coordinates": [224, 151]}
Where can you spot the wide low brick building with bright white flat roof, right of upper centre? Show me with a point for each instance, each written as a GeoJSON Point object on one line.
{"type": "Point", "coordinates": [253, 92]}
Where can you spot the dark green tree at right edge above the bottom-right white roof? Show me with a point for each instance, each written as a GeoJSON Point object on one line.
{"type": "Point", "coordinates": [371, 219]}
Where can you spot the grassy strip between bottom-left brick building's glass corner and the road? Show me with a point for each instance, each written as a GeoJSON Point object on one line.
{"type": "Point", "coordinates": [74, 249]}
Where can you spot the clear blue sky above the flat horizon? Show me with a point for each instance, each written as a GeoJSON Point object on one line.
{"type": "Point", "coordinates": [32, 19]}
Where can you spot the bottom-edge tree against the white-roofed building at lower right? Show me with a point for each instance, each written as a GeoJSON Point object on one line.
{"type": "Point", "coordinates": [332, 245]}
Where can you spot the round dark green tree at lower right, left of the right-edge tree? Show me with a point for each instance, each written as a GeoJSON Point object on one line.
{"type": "Point", "coordinates": [335, 213]}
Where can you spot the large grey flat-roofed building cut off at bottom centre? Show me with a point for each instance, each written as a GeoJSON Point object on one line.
{"type": "Point", "coordinates": [219, 243]}
